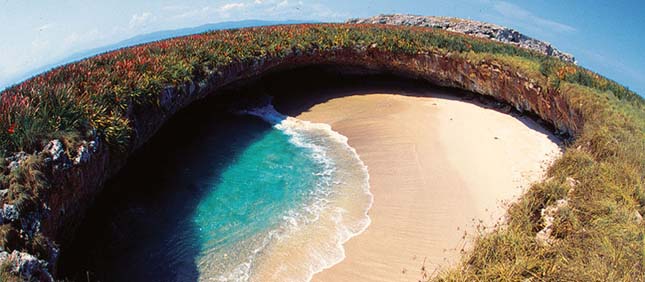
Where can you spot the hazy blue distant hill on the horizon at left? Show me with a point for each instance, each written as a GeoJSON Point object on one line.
{"type": "Point", "coordinates": [144, 38]}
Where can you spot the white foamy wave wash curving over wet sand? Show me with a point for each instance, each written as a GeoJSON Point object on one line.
{"type": "Point", "coordinates": [310, 238]}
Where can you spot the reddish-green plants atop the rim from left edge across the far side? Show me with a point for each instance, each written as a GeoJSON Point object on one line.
{"type": "Point", "coordinates": [97, 93]}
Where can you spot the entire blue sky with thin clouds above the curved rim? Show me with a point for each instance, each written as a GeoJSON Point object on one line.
{"type": "Point", "coordinates": [605, 36]}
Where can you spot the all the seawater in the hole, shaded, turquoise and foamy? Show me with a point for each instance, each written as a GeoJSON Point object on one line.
{"type": "Point", "coordinates": [260, 197]}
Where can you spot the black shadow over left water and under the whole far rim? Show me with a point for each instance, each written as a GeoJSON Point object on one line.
{"type": "Point", "coordinates": [140, 227]}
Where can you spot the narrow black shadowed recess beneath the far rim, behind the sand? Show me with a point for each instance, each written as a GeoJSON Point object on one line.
{"type": "Point", "coordinates": [297, 91]}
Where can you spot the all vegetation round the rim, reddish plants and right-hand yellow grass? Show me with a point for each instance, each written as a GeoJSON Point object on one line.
{"type": "Point", "coordinates": [597, 235]}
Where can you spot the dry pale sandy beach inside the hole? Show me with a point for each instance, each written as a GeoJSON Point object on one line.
{"type": "Point", "coordinates": [438, 166]}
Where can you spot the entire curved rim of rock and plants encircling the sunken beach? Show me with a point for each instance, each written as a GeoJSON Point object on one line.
{"type": "Point", "coordinates": [83, 120]}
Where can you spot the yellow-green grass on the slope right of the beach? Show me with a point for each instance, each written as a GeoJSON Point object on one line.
{"type": "Point", "coordinates": [598, 236]}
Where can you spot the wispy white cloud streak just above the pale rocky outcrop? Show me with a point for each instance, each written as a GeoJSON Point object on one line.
{"type": "Point", "coordinates": [519, 14]}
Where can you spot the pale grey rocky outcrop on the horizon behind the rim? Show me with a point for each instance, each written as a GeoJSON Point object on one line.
{"type": "Point", "coordinates": [474, 28]}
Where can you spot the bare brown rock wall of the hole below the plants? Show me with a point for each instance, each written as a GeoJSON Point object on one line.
{"type": "Point", "coordinates": [76, 181]}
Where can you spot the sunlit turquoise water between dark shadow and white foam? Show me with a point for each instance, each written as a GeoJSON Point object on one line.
{"type": "Point", "coordinates": [272, 181]}
